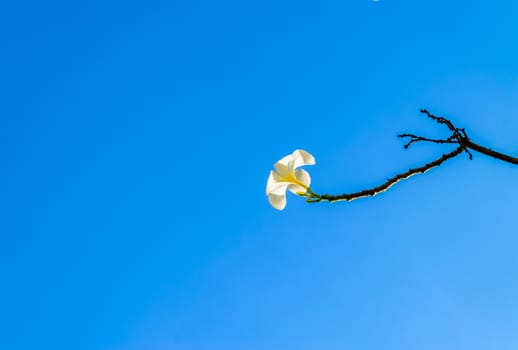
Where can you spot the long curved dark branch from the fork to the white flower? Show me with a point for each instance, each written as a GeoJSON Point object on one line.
{"type": "Point", "coordinates": [313, 197]}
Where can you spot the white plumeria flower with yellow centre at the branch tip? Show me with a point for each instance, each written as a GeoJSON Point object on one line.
{"type": "Point", "coordinates": [287, 176]}
